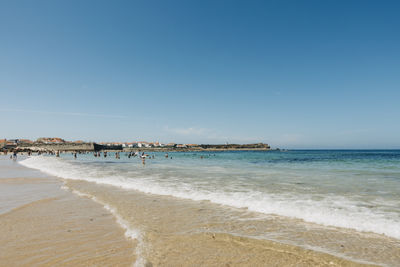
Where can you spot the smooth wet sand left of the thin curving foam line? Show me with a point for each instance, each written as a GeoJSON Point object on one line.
{"type": "Point", "coordinates": [53, 227]}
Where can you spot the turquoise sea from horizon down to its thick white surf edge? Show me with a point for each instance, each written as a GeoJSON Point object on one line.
{"type": "Point", "coordinates": [355, 189]}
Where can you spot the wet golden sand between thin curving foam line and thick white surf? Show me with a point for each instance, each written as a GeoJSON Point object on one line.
{"type": "Point", "coordinates": [176, 232]}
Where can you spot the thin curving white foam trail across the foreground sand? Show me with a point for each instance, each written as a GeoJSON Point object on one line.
{"type": "Point", "coordinates": [130, 233]}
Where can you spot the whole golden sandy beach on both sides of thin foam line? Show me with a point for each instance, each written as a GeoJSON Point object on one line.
{"type": "Point", "coordinates": [58, 227]}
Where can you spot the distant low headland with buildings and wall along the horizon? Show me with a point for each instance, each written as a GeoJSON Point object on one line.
{"type": "Point", "coordinates": [58, 144]}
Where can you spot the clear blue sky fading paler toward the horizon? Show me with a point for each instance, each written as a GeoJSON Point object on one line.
{"type": "Point", "coordinates": [293, 74]}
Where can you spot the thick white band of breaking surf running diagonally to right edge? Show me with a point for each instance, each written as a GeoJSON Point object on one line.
{"type": "Point", "coordinates": [336, 211]}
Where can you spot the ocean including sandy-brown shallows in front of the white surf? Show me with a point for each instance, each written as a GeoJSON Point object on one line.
{"type": "Point", "coordinates": [311, 198]}
